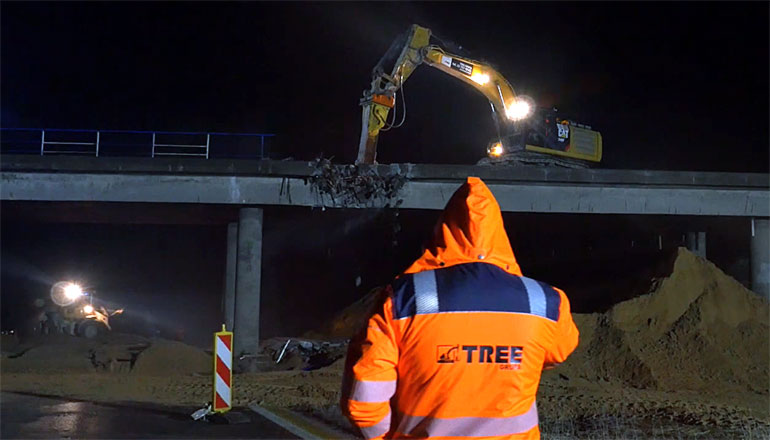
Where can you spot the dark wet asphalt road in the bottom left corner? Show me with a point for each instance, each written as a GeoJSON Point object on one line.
{"type": "Point", "coordinates": [25, 417]}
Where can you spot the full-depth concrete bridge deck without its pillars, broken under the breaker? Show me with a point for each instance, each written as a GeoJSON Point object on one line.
{"type": "Point", "coordinates": [518, 189]}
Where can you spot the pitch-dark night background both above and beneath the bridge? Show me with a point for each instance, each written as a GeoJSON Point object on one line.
{"type": "Point", "coordinates": [674, 86]}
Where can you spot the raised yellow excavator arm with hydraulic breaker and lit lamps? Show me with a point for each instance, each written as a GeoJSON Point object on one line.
{"type": "Point", "coordinates": [410, 51]}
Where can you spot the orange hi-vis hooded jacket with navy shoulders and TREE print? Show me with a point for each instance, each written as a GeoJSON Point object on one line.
{"type": "Point", "coordinates": [457, 345]}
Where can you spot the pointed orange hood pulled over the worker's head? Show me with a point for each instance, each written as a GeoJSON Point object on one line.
{"type": "Point", "coordinates": [469, 230]}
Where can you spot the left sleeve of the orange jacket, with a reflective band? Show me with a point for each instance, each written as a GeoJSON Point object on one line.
{"type": "Point", "coordinates": [369, 379]}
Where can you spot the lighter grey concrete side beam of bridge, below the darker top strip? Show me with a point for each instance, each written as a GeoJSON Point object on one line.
{"type": "Point", "coordinates": [513, 197]}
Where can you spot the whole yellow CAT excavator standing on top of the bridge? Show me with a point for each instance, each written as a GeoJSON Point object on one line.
{"type": "Point", "coordinates": [525, 134]}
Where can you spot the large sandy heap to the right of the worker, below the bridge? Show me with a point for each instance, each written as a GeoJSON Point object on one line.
{"type": "Point", "coordinates": [698, 329]}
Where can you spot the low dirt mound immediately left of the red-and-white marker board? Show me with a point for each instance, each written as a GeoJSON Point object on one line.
{"type": "Point", "coordinates": [164, 358]}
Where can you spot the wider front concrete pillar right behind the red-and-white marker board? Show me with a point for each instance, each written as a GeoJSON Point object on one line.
{"type": "Point", "coordinates": [247, 281]}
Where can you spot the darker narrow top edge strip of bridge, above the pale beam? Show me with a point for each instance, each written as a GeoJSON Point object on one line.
{"type": "Point", "coordinates": [302, 169]}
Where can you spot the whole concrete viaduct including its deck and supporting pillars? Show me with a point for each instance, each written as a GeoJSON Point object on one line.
{"type": "Point", "coordinates": [253, 184]}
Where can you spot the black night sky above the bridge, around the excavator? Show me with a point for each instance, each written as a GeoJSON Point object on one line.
{"type": "Point", "coordinates": [670, 86]}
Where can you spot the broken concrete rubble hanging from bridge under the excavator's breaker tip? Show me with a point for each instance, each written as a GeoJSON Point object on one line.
{"type": "Point", "coordinates": [355, 186]}
